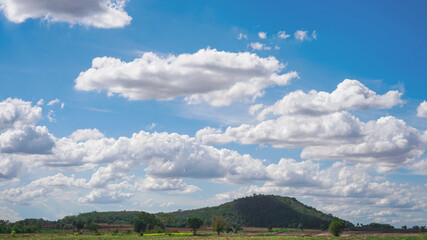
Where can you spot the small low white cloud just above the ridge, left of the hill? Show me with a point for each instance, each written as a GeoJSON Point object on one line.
{"type": "Point", "coordinates": [99, 196]}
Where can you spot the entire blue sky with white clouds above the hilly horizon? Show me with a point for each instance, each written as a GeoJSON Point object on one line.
{"type": "Point", "coordinates": [159, 106]}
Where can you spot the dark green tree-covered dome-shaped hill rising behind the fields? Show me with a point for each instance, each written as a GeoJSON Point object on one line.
{"type": "Point", "coordinates": [259, 211]}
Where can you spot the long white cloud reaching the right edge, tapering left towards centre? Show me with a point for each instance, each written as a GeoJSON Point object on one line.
{"type": "Point", "coordinates": [387, 143]}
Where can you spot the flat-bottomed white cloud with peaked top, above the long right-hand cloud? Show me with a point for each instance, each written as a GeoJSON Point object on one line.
{"type": "Point", "coordinates": [349, 95]}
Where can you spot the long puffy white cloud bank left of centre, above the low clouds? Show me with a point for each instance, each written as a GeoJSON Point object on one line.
{"type": "Point", "coordinates": [165, 155]}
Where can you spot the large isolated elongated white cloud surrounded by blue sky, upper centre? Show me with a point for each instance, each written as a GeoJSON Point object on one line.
{"type": "Point", "coordinates": [217, 77]}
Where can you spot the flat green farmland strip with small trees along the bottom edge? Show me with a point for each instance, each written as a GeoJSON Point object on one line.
{"type": "Point", "coordinates": [207, 233]}
